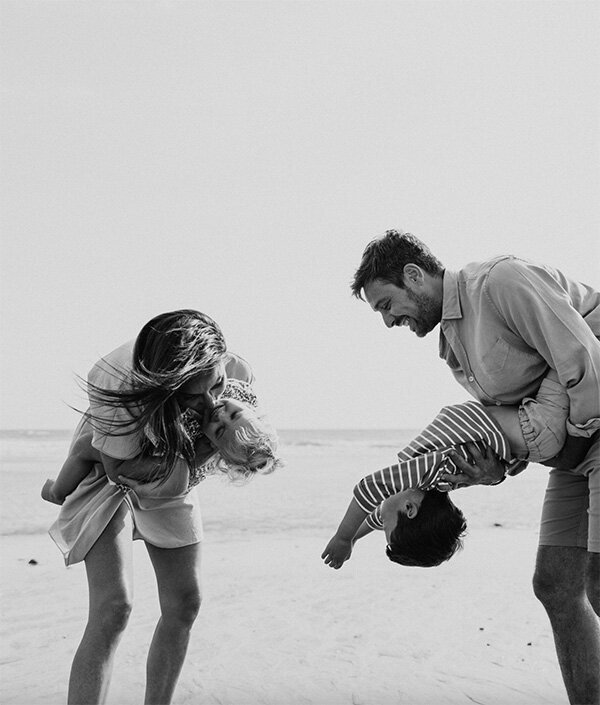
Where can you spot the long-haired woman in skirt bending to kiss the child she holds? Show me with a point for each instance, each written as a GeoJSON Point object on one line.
{"type": "Point", "coordinates": [140, 396]}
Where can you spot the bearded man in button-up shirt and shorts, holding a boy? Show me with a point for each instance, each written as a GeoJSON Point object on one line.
{"type": "Point", "coordinates": [504, 324]}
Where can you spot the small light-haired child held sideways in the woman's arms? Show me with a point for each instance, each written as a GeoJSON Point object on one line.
{"type": "Point", "coordinates": [244, 442]}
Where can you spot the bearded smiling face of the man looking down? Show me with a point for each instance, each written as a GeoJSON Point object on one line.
{"type": "Point", "coordinates": [412, 306]}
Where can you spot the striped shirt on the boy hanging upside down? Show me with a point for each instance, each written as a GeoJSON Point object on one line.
{"type": "Point", "coordinates": [423, 460]}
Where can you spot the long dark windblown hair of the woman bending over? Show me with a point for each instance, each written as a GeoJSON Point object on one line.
{"type": "Point", "coordinates": [170, 350]}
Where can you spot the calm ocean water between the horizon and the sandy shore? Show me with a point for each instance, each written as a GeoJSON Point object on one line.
{"type": "Point", "coordinates": [309, 493]}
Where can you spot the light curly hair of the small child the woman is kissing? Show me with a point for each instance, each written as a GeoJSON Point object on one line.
{"type": "Point", "coordinates": [251, 451]}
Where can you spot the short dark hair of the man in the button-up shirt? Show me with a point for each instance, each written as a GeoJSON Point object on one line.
{"type": "Point", "coordinates": [385, 258]}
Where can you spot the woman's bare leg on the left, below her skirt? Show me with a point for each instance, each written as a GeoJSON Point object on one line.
{"type": "Point", "coordinates": [108, 566]}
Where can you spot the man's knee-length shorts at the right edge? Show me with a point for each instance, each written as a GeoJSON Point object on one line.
{"type": "Point", "coordinates": [571, 511]}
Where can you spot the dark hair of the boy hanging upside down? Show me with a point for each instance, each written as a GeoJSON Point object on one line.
{"type": "Point", "coordinates": [432, 536]}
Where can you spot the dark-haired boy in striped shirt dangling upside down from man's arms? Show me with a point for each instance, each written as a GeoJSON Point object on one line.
{"type": "Point", "coordinates": [409, 501]}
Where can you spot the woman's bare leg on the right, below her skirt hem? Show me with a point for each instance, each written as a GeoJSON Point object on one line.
{"type": "Point", "coordinates": [178, 578]}
